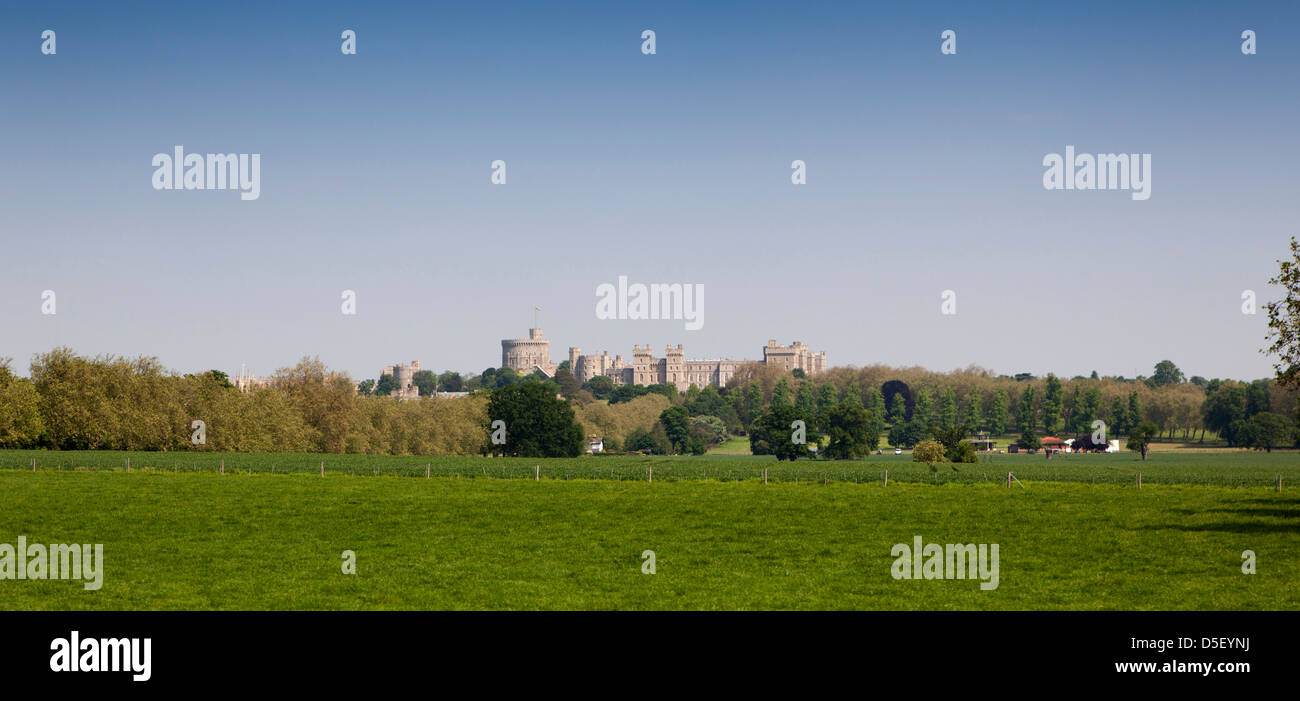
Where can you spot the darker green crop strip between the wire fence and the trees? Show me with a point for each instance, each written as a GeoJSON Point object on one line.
{"type": "Point", "coordinates": [1168, 468]}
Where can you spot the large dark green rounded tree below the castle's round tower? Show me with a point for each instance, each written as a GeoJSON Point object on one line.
{"type": "Point", "coordinates": [538, 423]}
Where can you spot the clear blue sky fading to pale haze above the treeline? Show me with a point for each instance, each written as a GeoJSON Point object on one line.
{"type": "Point", "coordinates": [924, 175]}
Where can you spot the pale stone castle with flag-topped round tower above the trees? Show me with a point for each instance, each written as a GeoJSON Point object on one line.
{"type": "Point", "coordinates": [534, 354]}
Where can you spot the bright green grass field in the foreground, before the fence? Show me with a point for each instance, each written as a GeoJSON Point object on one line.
{"type": "Point", "coordinates": [274, 542]}
